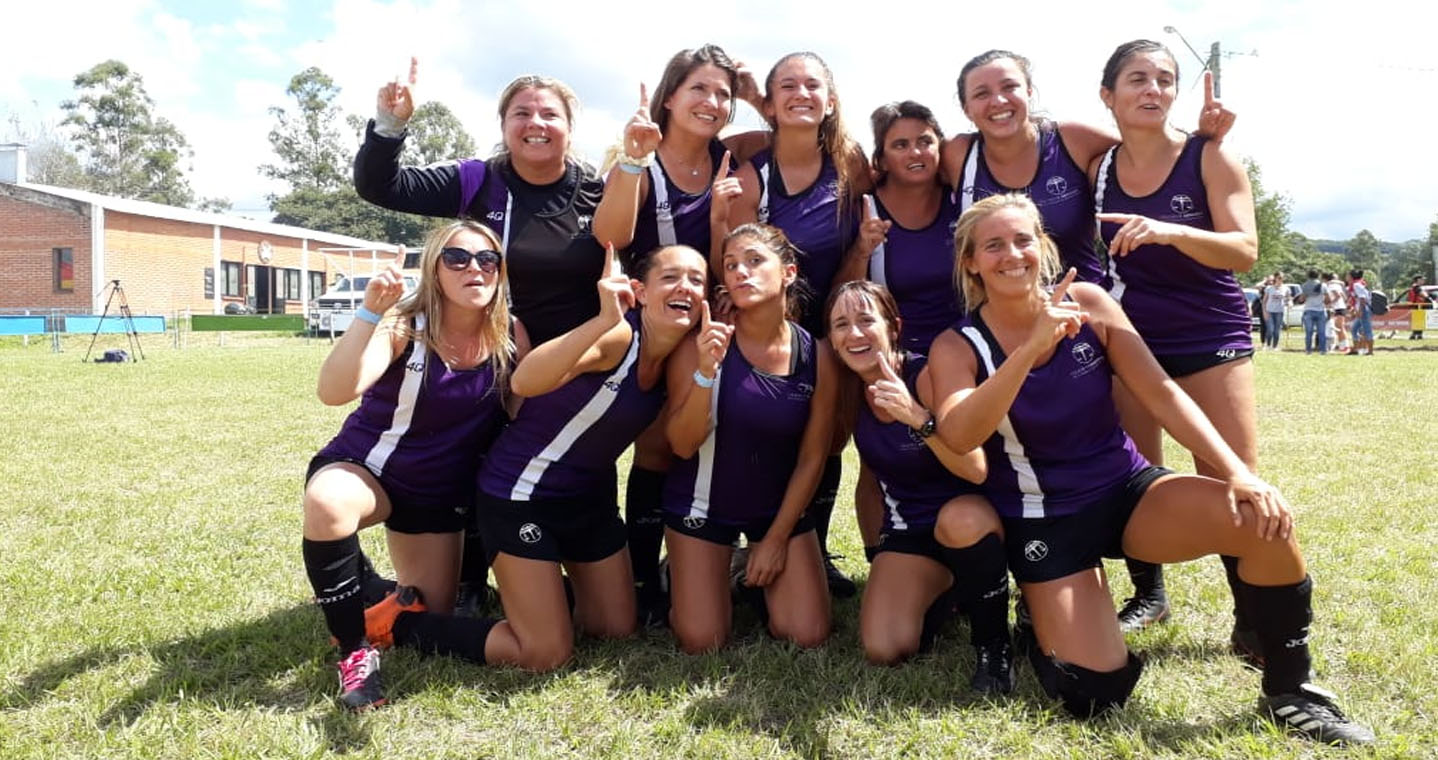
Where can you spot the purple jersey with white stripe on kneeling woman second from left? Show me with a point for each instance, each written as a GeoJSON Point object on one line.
{"type": "Point", "coordinates": [563, 445]}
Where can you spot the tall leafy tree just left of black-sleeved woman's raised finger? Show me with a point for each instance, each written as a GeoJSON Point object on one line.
{"type": "Point", "coordinates": [308, 143]}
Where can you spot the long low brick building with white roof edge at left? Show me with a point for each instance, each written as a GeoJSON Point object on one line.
{"type": "Point", "coordinates": [61, 248]}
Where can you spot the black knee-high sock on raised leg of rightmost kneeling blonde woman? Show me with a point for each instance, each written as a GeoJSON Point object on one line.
{"type": "Point", "coordinates": [1282, 617]}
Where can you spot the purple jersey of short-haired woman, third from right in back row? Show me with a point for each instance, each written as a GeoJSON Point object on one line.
{"type": "Point", "coordinates": [918, 268]}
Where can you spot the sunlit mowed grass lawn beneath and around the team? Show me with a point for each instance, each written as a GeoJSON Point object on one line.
{"type": "Point", "coordinates": [155, 603]}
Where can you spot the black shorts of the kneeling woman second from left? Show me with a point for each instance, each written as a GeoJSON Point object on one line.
{"type": "Point", "coordinates": [586, 529]}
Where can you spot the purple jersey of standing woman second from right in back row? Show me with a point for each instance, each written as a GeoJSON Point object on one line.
{"type": "Point", "coordinates": [1059, 189]}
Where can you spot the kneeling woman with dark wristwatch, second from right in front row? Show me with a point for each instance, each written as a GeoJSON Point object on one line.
{"type": "Point", "coordinates": [941, 542]}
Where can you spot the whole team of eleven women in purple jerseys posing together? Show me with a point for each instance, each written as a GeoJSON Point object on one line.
{"type": "Point", "coordinates": [1002, 323]}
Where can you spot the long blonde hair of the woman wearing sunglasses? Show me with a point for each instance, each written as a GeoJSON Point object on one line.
{"type": "Point", "coordinates": [429, 300]}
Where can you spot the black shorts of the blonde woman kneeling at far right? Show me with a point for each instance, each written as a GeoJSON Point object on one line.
{"type": "Point", "coordinates": [1049, 548]}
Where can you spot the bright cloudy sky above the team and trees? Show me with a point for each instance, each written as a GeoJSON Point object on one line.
{"type": "Point", "coordinates": [1312, 83]}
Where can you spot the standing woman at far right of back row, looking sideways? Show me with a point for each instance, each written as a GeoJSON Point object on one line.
{"type": "Point", "coordinates": [1178, 218]}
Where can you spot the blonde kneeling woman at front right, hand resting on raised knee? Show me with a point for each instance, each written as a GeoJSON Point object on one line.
{"type": "Point", "coordinates": [1029, 376]}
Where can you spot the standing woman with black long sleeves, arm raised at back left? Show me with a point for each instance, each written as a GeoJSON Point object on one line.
{"type": "Point", "coordinates": [533, 190]}
